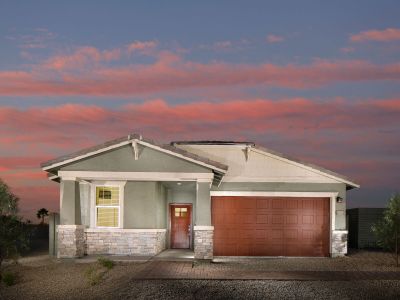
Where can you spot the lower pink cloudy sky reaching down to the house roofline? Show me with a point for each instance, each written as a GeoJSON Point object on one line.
{"type": "Point", "coordinates": [324, 132]}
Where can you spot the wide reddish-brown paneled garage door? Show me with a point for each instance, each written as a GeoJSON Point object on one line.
{"type": "Point", "coordinates": [270, 226]}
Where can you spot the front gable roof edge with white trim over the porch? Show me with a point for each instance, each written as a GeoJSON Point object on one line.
{"type": "Point", "coordinates": [218, 167]}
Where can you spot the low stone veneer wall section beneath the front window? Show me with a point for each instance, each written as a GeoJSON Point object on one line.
{"type": "Point", "coordinates": [140, 242]}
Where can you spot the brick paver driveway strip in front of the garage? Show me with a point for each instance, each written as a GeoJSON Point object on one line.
{"type": "Point", "coordinates": [192, 270]}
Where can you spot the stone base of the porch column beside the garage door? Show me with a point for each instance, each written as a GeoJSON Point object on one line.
{"type": "Point", "coordinates": [203, 242]}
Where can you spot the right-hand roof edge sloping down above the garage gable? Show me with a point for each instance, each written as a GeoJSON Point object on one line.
{"type": "Point", "coordinates": [319, 169]}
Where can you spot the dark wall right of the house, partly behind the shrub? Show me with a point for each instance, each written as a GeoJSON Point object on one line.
{"type": "Point", "coordinates": [359, 224]}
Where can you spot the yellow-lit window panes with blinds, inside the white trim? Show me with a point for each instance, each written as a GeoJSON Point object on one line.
{"type": "Point", "coordinates": [107, 206]}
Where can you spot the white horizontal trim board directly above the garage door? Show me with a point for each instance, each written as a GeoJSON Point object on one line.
{"type": "Point", "coordinates": [273, 194]}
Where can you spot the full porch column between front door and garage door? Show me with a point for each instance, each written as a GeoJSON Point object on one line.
{"type": "Point", "coordinates": [203, 231]}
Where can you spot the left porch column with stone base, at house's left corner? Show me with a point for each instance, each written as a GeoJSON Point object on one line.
{"type": "Point", "coordinates": [71, 239]}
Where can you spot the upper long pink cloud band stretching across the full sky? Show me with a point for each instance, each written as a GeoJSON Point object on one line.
{"type": "Point", "coordinates": [170, 73]}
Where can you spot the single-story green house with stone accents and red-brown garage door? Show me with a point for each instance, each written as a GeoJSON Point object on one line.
{"type": "Point", "coordinates": [133, 196]}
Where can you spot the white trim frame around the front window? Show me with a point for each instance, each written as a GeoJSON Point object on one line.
{"type": "Point", "coordinates": [93, 219]}
